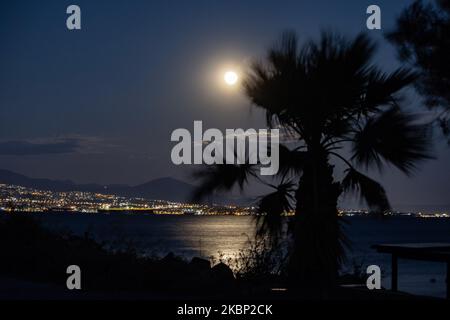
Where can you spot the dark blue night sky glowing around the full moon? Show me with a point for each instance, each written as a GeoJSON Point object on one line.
{"type": "Point", "coordinates": [109, 96]}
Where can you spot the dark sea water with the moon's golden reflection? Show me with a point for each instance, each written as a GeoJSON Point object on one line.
{"type": "Point", "coordinates": [211, 236]}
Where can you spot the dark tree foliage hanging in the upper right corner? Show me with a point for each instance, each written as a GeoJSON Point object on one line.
{"type": "Point", "coordinates": [422, 39]}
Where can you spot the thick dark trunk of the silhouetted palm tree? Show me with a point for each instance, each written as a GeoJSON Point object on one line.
{"type": "Point", "coordinates": [317, 248]}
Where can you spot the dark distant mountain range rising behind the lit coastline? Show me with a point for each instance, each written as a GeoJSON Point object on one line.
{"type": "Point", "coordinates": [167, 188]}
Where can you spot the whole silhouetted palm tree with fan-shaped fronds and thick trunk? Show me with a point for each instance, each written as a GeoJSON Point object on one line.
{"type": "Point", "coordinates": [326, 96]}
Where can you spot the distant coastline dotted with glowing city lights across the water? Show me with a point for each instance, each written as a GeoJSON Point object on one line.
{"type": "Point", "coordinates": [15, 198]}
